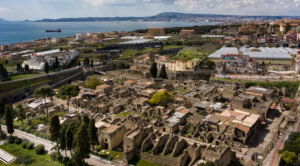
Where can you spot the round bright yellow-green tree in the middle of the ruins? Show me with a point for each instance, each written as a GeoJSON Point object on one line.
{"type": "Point", "coordinates": [161, 98]}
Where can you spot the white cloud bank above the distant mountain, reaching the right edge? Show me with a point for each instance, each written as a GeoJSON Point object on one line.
{"type": "Point", "coordinates": [244, 7]}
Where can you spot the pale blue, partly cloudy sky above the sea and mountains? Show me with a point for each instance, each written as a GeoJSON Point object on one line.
{"type": "Point", "coordinates": [17, 10]}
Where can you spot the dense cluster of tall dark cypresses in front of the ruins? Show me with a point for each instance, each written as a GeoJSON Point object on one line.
{"type": "Point", "coordinates": [77, 137]}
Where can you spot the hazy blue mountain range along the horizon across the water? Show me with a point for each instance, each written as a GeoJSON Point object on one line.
{"type": "Point", "coordinates": [171, 16]}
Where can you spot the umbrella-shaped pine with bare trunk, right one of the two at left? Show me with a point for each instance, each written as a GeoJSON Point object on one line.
{"type": "Point", "coordinates": [67, 92]}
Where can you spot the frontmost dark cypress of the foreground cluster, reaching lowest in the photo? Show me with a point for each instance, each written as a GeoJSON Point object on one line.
{"type": "Point", "coordinates": [81, 142]}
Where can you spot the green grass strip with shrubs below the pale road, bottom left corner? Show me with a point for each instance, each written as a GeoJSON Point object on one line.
{"type": "Point", "coordinates": [39, 160]}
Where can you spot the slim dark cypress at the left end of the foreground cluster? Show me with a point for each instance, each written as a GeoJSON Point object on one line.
{"type": "Point", "coordinates": [54, 130]}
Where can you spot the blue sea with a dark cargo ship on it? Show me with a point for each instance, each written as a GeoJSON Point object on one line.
{"type": "Point", "coordinates": [16, 32]}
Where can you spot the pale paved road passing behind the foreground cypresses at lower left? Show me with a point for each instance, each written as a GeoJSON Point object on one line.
{"type": "Point", "coordinates": [93, 160]}
